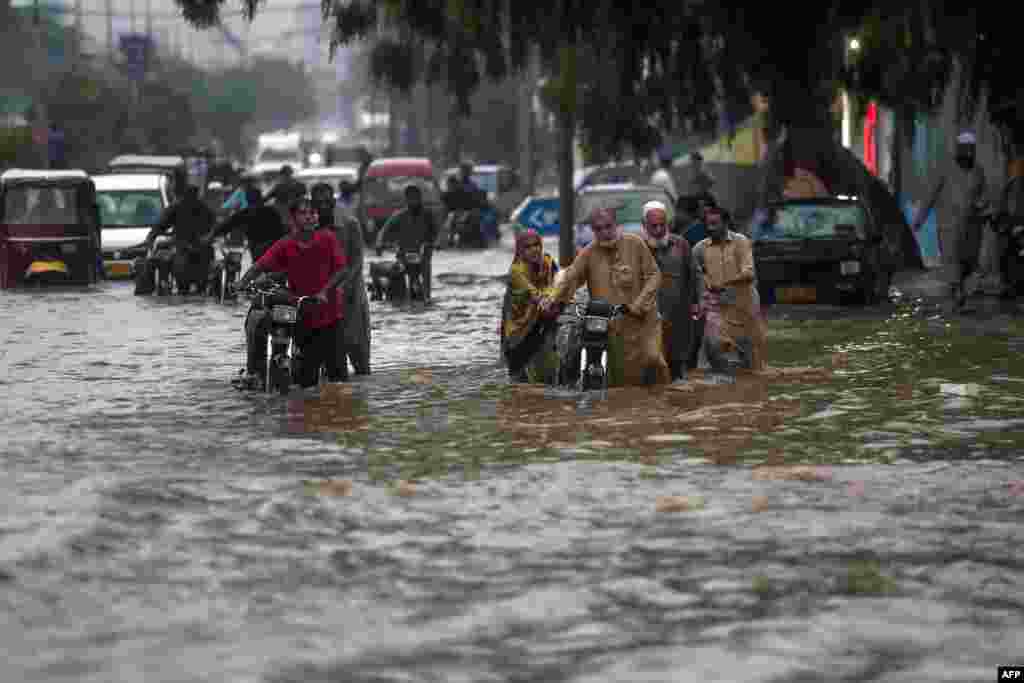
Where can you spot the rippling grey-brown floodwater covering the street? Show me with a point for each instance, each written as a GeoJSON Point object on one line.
{"type": "Point", "coordinates": [857, 518]}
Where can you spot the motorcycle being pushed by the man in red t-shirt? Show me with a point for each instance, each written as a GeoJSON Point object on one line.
{"type": "Point", "coordinates": [283, 357]}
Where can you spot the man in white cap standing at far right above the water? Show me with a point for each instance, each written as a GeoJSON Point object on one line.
{"type": "Point", "coordinates": [959, 208]}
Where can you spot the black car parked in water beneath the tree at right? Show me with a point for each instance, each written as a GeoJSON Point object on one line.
{"type": "Point", "coordinates": [826, 250]}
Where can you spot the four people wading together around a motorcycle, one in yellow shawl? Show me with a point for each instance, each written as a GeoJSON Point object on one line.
{"type": "Point", "coordinates": [678, 301]}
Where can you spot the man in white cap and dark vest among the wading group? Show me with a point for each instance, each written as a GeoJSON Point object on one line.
{"type": "Point", "coordinates": [677, 296]}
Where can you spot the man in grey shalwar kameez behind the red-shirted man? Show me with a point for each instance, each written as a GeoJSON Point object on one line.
{"type": "Point", "coordinates": [355, 336]}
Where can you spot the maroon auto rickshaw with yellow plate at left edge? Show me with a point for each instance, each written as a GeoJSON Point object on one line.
{"type": "Point", "coordinates": [50, 229]}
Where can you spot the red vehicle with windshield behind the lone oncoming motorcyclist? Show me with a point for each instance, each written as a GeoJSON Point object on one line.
{"type": "Point", "coordinates": [383, 192]}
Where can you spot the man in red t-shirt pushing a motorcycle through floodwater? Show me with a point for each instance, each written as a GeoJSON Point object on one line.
{"type": "Point", "coordinates": [317, 268]}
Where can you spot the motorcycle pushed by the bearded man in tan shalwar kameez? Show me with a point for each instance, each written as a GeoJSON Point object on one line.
{"type": "Point", "coordinates": [583, 333]}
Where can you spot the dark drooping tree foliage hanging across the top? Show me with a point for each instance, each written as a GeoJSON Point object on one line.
{"type": "Point", "coordinates": [656, 66]}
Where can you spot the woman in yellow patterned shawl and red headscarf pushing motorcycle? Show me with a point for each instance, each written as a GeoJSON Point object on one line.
{"type": "Point", "coordinates": [527, 334]}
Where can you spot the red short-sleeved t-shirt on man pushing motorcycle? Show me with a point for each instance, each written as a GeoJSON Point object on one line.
{"type": "Point", "coordinates": [310, 267]}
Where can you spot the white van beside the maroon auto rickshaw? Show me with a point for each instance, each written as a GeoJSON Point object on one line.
{"type": "Point", "coordinates": [131, 206]}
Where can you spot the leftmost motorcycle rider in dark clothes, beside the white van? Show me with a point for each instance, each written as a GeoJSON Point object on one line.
{"type": "Point", "coordinates": [192, 220]}
